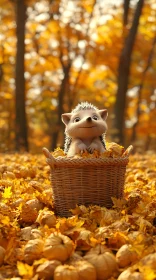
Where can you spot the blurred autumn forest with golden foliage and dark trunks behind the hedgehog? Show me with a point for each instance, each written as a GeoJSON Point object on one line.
{"type": "Point", "coordinates": [56, 53]}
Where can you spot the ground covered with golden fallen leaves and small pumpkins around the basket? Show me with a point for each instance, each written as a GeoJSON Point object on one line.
{"type": "Point", "coordinates": [36, 244]}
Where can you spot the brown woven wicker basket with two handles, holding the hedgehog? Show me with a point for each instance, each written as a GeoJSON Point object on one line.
{"type": "Point", "coordinates": [85, 181]}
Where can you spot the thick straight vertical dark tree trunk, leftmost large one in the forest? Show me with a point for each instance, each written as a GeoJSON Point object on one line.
{"type": "Point", "coordinates": [20, 120]}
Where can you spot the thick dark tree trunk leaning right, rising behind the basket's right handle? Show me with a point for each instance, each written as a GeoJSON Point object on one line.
{"type": "Point", "coordinates": [123, 77]}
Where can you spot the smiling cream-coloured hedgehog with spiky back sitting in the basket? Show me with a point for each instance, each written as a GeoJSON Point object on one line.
{"type": "Point", "coordinates": [85, 129]}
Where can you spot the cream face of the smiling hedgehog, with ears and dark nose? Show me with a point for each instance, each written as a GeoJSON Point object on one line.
{"type": "Point", "coordinates": [85, 123]}
